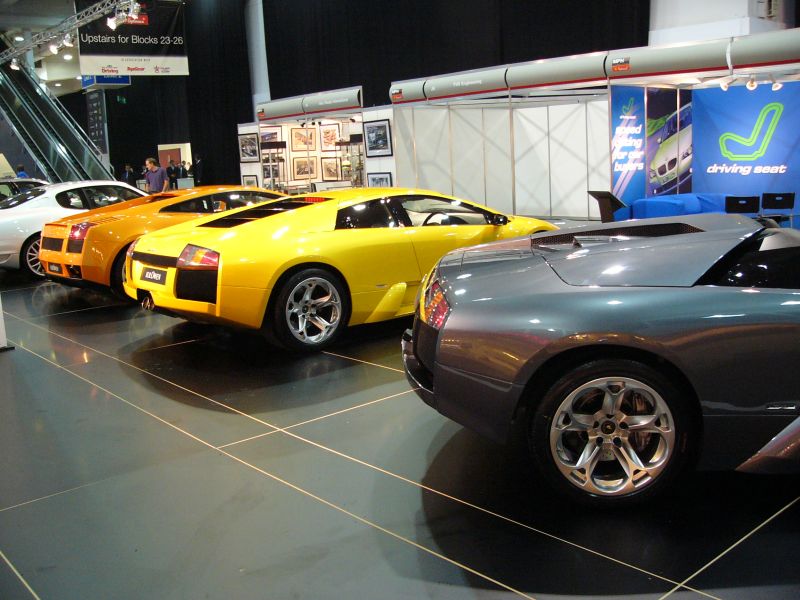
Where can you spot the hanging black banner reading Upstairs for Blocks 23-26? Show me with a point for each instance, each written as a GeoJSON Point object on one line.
{"type": "Point", "coordinates": [152, 43]}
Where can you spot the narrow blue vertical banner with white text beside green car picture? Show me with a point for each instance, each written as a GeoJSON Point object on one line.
{"type": "Point", "coordinates": [627, 143]}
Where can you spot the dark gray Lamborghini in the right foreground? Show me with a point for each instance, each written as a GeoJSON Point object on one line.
{"type": "Point", "coordinates": [624, 352]}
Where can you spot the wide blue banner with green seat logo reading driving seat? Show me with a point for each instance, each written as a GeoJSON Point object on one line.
{"type": "Point", "coordinates": [746, 142]}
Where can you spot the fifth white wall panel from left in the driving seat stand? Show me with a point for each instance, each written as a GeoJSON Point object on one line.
{"type": "Point", "coordinates": [532, 161]}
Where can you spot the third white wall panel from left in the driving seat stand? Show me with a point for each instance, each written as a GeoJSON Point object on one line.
{"type": "Point", "coordinates": [466, 125]}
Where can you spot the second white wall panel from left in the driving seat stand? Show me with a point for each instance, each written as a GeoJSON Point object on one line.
{"type": "Point", "coordinates": [433, 148]}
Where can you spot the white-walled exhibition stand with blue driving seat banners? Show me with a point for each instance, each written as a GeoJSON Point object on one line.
{"type": "Point", "coordinates": [532, 138]}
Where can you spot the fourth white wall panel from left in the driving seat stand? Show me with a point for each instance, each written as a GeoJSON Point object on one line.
{"type": "Point", "coordinates": [497, 132]}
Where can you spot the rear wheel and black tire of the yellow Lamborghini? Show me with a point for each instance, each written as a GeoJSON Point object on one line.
{"type": "Point", "coordinates": [296, 313]}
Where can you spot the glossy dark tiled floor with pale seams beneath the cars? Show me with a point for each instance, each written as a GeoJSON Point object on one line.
{"type": "Point", "coordinates": [146, 457]}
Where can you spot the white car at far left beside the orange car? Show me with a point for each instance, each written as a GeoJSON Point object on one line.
{"type": "Point", "coordinates": [23, 215]}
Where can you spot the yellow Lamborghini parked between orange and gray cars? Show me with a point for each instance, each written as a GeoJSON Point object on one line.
{"type": "Point", "coordinates": [303, 267]}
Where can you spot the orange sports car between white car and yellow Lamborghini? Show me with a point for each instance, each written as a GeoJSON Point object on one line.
{"type": "Point", "coordinates": [88, 249]}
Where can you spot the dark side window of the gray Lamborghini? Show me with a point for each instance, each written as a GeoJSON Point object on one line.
{"type": "Point", "coordinates": [772, 262]}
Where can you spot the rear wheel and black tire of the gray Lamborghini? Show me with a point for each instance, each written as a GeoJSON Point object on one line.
{"type": "Point", "coordinates": [566, 425]}
